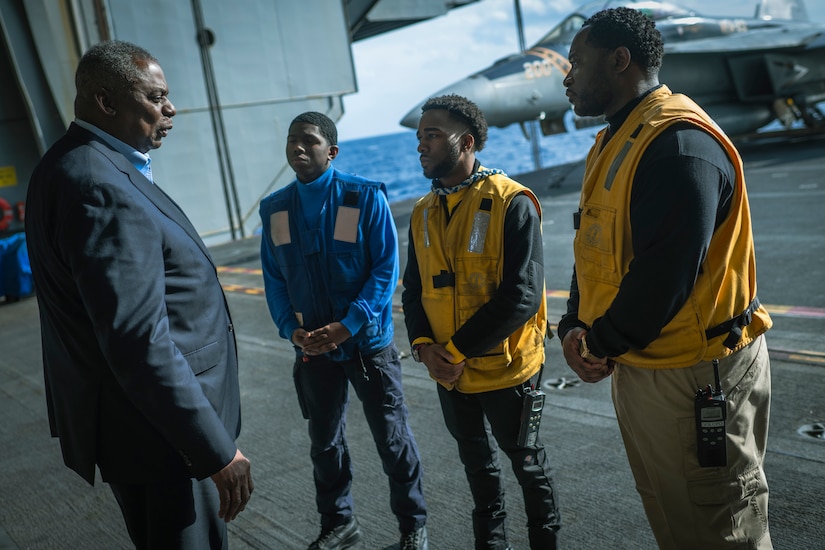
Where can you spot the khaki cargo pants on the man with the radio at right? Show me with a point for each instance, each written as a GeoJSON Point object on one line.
{"type": "Point", "coordinates": [688, 506]}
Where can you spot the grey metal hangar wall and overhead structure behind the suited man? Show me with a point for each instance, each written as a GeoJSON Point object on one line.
{"type": "Point", "coordinates": [238, 72]}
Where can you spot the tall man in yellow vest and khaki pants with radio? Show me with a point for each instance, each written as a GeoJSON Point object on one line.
{"type": "Point", "coordinates": [663, 294]}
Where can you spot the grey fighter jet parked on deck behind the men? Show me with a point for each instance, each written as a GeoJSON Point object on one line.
{"type": "Point", "coordinates": [744, 72]}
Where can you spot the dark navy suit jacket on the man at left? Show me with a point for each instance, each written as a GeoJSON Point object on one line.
{"type": "Point", "coordinates": [139, 352]}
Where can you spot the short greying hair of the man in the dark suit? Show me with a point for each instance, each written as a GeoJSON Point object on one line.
{"type": "Point", "coordinates": [111, 64]}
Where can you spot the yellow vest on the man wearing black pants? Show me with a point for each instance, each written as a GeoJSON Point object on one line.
{"type": "Point", "coordinates": [472, 247]}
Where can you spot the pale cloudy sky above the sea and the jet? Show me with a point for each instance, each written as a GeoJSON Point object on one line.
{"type": "Point", "coordinates": [397, 70]}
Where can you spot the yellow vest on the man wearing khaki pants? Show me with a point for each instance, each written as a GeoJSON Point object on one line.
{"type": "Point", "coordinates": [726, 284]}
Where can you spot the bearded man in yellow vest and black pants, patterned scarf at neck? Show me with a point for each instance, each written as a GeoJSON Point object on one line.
{"type": "Point", "coordinates": [476, 315]}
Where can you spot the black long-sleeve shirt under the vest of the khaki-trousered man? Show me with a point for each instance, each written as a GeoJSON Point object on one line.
{"type": "Point", "coordinates": [681, 192]}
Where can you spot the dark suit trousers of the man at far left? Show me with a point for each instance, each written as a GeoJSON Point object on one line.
{"type": "Point", "coordinates": [172, 515]}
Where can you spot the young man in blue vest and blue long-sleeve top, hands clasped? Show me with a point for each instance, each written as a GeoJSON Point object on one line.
{"type": "Point", "coordinates": [329, 253]}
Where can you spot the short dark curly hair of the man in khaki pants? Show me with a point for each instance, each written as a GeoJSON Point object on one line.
{"type": "Point", "coordinates": [616, 27]}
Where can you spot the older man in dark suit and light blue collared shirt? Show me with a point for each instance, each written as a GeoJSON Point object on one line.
{"type": "Point", "coordinates": [139, 351]}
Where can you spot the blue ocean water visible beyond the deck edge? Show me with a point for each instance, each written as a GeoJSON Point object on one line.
{"type": "Point", "coordinates": [393, 158]}
